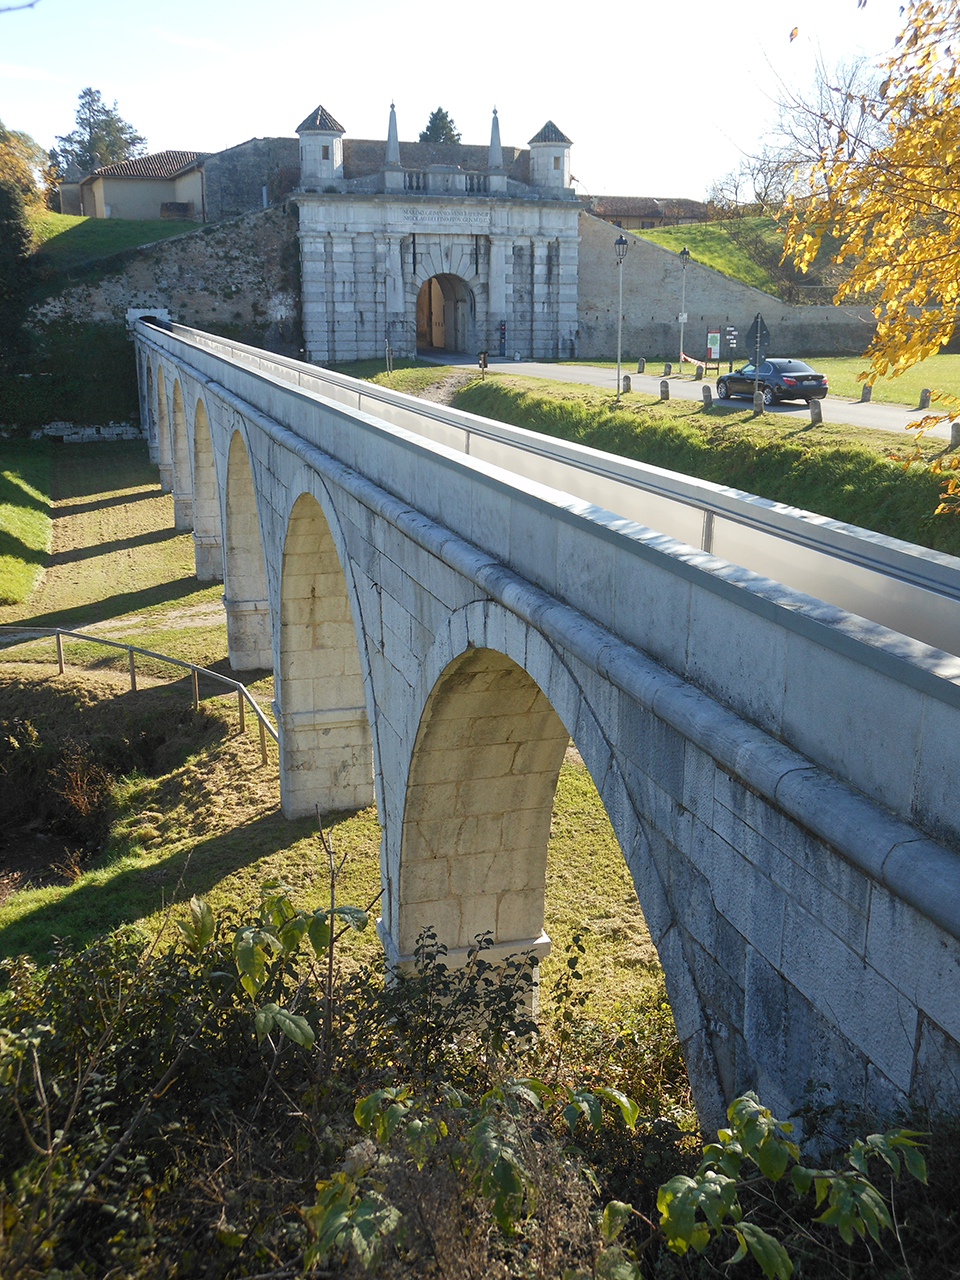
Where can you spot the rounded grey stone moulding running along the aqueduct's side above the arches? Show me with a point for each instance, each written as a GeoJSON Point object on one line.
{"type": "Point", "coordinates": [916, 868]}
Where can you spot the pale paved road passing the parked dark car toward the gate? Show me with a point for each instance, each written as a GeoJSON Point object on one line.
{"type": "Point", "coordinates": [880, 418]}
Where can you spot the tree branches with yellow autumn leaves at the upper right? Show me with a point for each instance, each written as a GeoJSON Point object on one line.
{"type": "Point", "coordinates": [893, 200]}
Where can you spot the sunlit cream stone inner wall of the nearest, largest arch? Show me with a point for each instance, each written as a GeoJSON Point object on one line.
{"type": "Point", "coordinates": [478, 810]}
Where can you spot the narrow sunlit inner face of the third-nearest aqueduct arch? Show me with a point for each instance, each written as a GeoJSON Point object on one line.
{"type": "Point", "coordinates": [249, 642]}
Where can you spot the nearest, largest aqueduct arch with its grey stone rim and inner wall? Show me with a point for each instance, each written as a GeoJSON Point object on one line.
{"type": "Point", "coordinates": [424, 877]}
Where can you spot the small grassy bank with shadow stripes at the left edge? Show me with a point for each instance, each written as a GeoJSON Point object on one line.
{"type": "Point", "coordinates": [25, 516]}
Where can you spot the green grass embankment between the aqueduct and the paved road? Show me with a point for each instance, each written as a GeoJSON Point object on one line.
{"type": "Point", "coordinates": [836, 472]}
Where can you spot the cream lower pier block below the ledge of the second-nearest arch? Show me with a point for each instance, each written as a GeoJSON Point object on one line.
{"type": "Point", "coordinates": [327, 761]}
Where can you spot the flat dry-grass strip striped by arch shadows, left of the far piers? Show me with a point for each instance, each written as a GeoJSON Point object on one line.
{"type": "Point", "coordinates": [115, 548]}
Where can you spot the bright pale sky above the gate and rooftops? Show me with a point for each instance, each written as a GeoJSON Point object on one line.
{"type": "Point", "coordinates": [659, 102]}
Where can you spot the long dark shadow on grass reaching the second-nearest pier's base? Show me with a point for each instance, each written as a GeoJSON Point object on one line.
{"type": "Point", "coordinates": [93, 908]}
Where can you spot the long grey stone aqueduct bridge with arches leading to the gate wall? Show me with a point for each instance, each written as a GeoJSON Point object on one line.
{"type": "Point", "coordinates": [446, 602]}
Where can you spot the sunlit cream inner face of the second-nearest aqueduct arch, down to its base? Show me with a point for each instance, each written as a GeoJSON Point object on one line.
{"type": "Point", "coordinates": [327, 751]}
